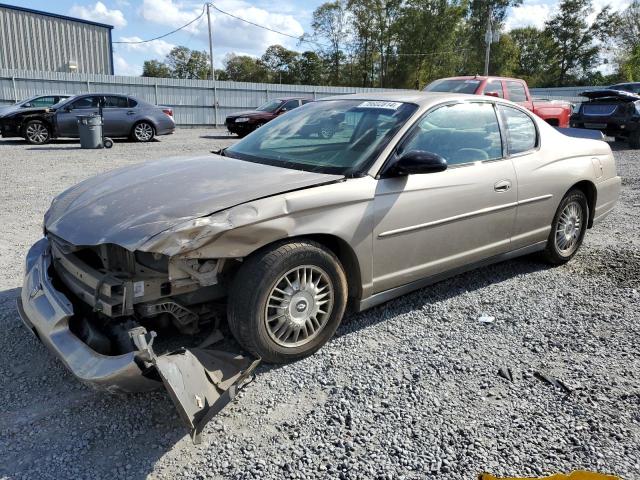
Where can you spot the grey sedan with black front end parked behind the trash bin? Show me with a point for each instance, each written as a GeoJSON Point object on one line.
{"type": "Point", "coordinates": [124, 116]}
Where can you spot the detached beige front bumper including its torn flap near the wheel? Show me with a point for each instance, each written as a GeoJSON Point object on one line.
{"type": "Point", "coordinates": [199, 381]}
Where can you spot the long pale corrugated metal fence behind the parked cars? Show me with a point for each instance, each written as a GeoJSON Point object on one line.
{"type": "Point", "coordinates": [192, 100]}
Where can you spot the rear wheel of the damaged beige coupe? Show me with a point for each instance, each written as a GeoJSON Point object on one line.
{"type": "Point", "coordinates": [568, 228]}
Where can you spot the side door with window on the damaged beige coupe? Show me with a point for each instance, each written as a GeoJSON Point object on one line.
{"type": "Point", "coordinates": [430, 223]}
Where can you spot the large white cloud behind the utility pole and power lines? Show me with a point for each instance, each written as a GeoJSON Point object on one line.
{"type": "Point", "coordinates": [229, 34]}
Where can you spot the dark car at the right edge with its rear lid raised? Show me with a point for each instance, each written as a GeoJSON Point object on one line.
{"type": "Point", "coordinates": [615, 113]}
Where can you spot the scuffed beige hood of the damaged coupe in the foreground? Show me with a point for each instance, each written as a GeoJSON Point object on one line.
{"type": "Point", "coordinates": [128, 206]}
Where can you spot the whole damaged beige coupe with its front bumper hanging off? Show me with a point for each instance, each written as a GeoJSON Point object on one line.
{"type": "Point", "coordinates": [287, 230]}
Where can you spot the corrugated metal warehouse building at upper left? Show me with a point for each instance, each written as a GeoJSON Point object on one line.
{"type": "Point", "coordinates": [41, 41]}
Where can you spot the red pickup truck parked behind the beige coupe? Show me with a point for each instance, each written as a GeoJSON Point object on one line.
{"type": "Point", "coordinates": [554, 112]}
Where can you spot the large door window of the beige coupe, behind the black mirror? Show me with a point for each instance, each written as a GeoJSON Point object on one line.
{"type": "Point", "coordinates": [460, 133]}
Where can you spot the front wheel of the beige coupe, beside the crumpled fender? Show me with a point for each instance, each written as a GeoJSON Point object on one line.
{"type": "Point", "coordinates": [260, 292]}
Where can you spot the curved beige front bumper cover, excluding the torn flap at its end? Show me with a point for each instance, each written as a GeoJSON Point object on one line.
{"type": "Point", "coordinates": [46, 312]}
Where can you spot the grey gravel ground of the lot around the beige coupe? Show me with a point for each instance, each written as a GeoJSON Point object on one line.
{"type": "Point", "coordinates": [406, 390]}
